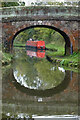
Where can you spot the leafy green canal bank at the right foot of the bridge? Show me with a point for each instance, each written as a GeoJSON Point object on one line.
{"type": "Point", "coordinates": [70, 61]}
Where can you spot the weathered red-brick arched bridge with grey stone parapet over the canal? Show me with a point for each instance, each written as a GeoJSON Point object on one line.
{"type": "Point", "coordinates": [63, 19]}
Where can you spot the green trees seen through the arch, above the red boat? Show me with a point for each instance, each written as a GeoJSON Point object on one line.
{"type": "Point", "coordinates": [40, 33]}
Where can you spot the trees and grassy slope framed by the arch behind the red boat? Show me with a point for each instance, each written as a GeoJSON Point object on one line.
{"type": "Point", "coordinates": [52, 39]}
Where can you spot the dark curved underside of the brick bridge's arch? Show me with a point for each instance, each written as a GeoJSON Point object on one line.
{"type": "Point", "coordinates": [65, 36]}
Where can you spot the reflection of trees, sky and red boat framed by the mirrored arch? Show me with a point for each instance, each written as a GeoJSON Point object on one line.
{"type": "Point", "coordinates": [37, 74]}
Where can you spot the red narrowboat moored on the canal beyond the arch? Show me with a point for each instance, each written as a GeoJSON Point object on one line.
{"type": "Point", "coordinates": [36, 44]}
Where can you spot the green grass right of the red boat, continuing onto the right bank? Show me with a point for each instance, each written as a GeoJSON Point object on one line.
{"type": "Point", "coordinates": [58, 57]}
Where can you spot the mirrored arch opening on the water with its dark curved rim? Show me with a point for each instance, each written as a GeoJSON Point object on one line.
{"type": "Point", "coordinates": [37, 76]}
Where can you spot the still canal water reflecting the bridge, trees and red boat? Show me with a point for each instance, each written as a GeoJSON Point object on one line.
{"type": "Point", "coordinates": [35, 86]}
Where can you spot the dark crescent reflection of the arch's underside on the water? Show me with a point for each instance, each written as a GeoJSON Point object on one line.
{"type": "Point", "coordinates": [47, 92]}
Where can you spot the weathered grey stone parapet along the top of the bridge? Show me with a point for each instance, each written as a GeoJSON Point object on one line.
{"type": "Point", "coordinates": [39, 12]}
